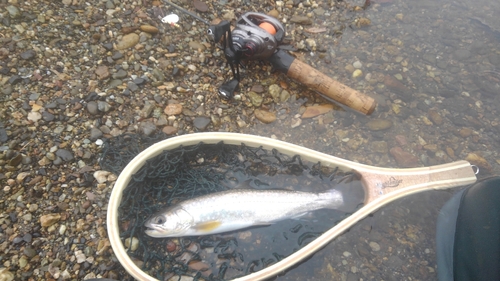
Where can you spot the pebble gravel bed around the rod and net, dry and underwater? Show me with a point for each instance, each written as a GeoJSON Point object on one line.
{"type": "Point", "coordinates": [75, 72]}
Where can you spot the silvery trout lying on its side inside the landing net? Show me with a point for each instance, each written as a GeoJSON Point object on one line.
{"type": "Point", "coordinates": [237, 209]}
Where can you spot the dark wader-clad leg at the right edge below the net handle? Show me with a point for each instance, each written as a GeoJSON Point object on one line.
{"type": "Point", "coordinates": [468, 234]}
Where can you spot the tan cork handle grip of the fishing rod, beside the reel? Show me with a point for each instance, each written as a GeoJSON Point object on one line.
{"type": "Point", "coordinates": [318, 81]}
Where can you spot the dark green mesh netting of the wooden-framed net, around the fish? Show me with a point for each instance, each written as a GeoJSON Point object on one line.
{"type": "Point", "coordinates": [191, 171]}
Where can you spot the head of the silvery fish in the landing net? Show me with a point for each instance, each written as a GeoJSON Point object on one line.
{"type": "Point", "coordinates": [172, 222]}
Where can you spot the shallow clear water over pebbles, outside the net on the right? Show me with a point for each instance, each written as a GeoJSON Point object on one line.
{"type": "Point", "coordinates": [447, 56]}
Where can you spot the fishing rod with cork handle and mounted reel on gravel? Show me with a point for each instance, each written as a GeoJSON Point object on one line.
{"type": "Point", "coordinates": [257, 36]}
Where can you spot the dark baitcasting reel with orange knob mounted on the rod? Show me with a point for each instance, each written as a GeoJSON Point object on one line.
{"type": "Point", "coordinates": [255, 37]}
